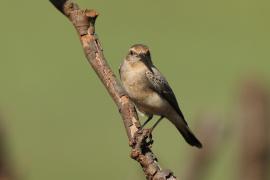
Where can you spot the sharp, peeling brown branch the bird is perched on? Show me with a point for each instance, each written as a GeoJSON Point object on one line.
{"type": "Point", "coordinates": [84, 23]}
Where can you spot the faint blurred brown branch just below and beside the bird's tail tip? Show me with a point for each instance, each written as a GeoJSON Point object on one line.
{"type": "Point", "coordinates": [211, 131]}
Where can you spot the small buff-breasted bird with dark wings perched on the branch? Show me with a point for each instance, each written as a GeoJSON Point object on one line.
{"type": "Point", "coordinates": [151, 92]}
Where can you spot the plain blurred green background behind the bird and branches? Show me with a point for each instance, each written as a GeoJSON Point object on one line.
{"type": "Point", "coordinates": [52, 103]}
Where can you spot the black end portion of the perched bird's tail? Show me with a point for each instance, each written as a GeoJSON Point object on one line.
{"type": "Point", "coordinates": [189, 137]}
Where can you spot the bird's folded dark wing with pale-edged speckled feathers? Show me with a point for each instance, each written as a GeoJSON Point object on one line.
{"type": "Point", "coordinates": [162, 87]}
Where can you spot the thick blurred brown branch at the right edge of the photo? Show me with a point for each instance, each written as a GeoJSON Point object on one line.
{"type": "Point", "coordinates": [254, 131]}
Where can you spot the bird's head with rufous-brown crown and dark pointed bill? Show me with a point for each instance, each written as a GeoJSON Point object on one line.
{"type": "Point", "coordinates": [139, 53]}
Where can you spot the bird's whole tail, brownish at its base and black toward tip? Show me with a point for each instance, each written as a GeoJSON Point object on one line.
{"type": "Point", "coordinates": [189, 137]}
